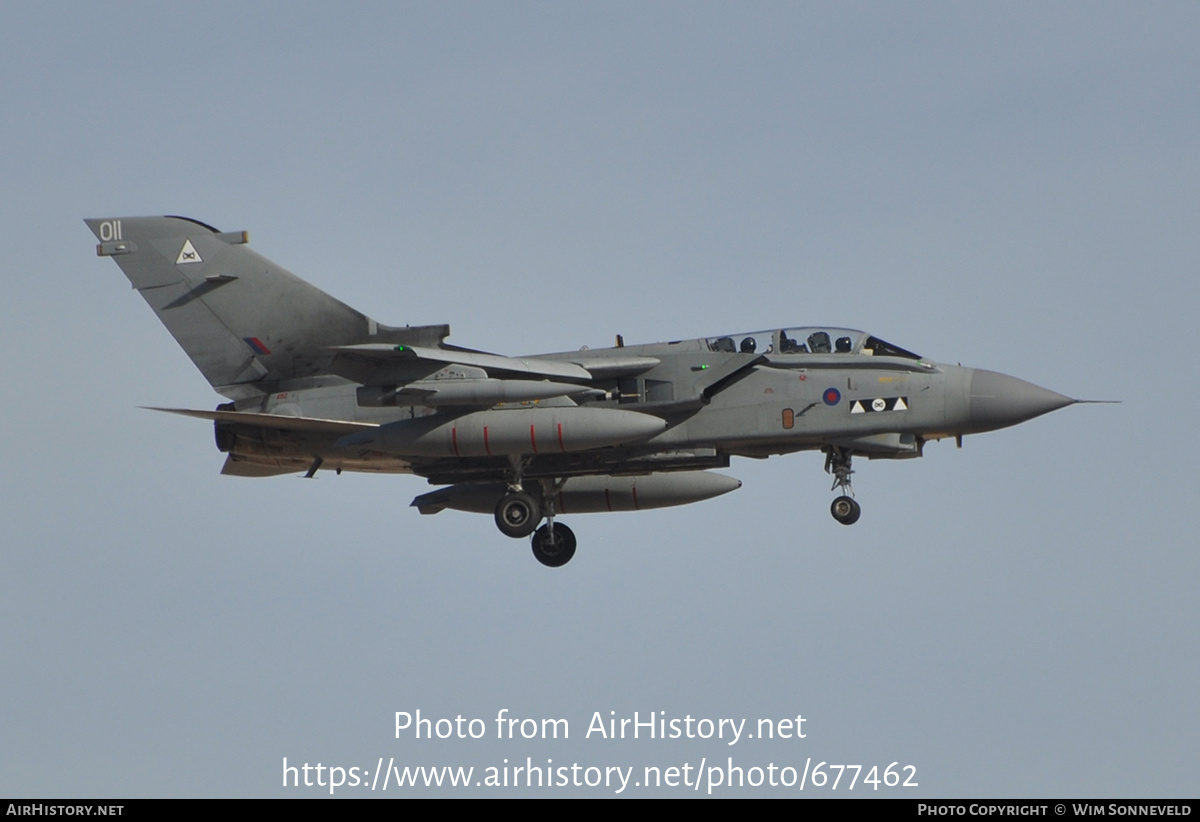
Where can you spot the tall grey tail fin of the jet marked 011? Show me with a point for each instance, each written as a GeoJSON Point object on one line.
{"type": "Point", "coordinates": [245, 322]}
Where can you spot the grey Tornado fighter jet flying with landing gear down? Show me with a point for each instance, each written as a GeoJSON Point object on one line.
{"type": "Point", "coordinates": [316, 386]}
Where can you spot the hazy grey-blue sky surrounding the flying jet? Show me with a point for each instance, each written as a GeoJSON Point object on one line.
{"type": "Point", "coordinates": [1015, 187]}
